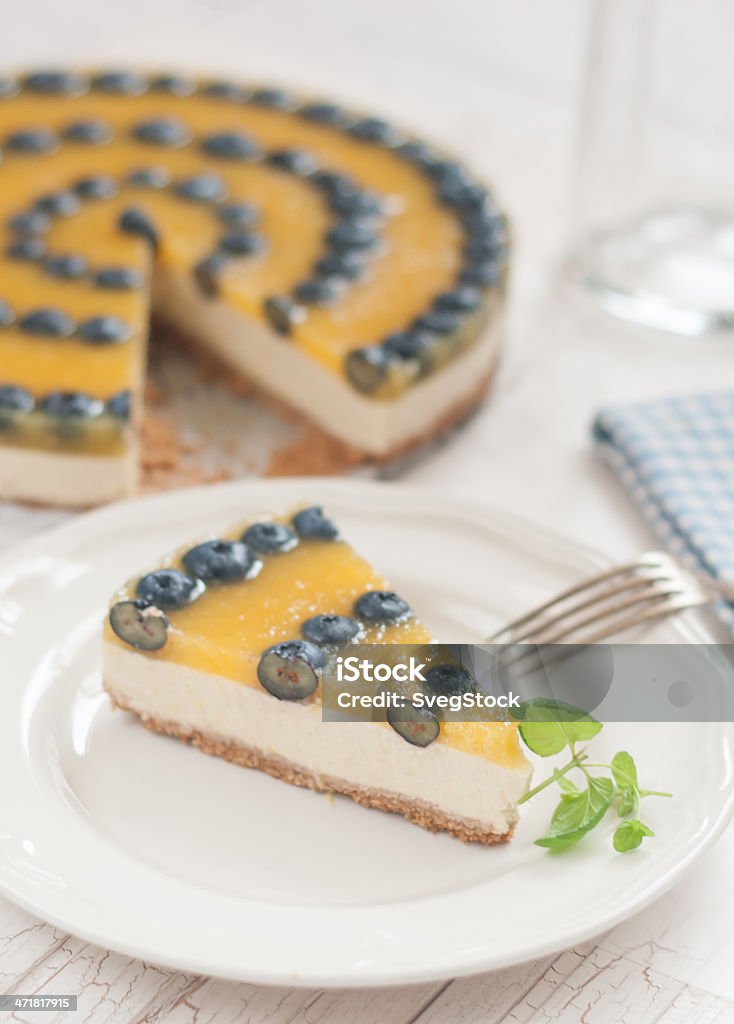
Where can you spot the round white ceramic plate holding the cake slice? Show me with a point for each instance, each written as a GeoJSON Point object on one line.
{"type": "Point", "coordinates": [149, 847]}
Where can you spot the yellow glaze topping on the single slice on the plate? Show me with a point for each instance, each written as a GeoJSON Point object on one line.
{"type": "Point", "coordinates": [226, 630]}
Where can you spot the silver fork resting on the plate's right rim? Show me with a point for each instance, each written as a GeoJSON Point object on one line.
{"type": "Point", "coordinates": [611, 603]}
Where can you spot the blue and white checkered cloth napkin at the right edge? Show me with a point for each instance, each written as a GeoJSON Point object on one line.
{"type": "Point", "coordinates": [676, 458]}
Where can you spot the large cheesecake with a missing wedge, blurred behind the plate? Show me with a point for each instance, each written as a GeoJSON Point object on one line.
{"type": "Point", "coordinates": [352, 272]}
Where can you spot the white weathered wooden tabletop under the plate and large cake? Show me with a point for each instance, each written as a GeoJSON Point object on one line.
{"type": "Point", "coordinates": [495, 81]}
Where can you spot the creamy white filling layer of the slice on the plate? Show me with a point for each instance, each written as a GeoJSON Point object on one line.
{"type": "Point", "coordinates": [464, 787]}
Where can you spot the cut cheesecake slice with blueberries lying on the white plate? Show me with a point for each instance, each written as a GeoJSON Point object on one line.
{"type": "Point", "coordinates": [223, 647]}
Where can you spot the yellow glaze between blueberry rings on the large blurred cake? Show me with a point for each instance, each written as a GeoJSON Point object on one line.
{"type": "Point", "coordinates": [419, 257]}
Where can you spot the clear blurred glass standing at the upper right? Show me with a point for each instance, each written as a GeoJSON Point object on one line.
{"type": "Point", "coordinates": [654, 223]}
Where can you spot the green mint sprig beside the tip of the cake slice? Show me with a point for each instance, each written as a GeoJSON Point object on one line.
{"type": "Point", "coordinates": [547, 729]}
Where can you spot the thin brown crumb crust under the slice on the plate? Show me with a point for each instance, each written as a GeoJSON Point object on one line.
{"type": "Point", "coordinates": [416, 812]}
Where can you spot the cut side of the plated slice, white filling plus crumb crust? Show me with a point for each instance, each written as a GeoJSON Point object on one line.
{"type": "Point", "coordinates": [440, 788]}
